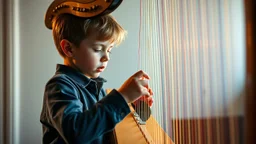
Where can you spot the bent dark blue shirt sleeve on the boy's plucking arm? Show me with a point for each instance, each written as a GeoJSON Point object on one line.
{"type": "Point", "coordinates": [73, 123]}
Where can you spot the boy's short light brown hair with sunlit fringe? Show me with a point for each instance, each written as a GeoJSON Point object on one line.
{"type": "Point", "coordinates": [75, 29]}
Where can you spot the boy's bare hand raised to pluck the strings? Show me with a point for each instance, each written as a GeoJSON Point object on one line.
{"type": "Point", "coordinates": [135, 87]}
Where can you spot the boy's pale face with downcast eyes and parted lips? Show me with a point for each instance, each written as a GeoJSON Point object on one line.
{"type": "Point", "coordinates": [92, 56]}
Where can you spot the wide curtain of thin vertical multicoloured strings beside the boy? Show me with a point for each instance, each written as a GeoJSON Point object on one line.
{"type": "Point", "coordinates": [187, 48]}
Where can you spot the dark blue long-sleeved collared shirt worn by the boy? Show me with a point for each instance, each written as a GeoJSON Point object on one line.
{"type": "Point", "coordinates": [76, 109]}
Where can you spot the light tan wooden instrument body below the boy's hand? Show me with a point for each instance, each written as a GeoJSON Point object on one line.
{"type": "Point", "coordinates": [131, 130]}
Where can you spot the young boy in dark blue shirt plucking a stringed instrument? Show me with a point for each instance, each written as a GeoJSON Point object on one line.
{"type": "Point", "coordinates": [76, 109]}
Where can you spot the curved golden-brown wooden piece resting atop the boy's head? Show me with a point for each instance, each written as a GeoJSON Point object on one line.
{"type": "Point", "coordinates": [81, 8]}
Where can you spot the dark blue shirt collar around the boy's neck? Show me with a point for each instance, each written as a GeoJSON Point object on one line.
{"type": "Point", "coordinates": [77, 76]}
